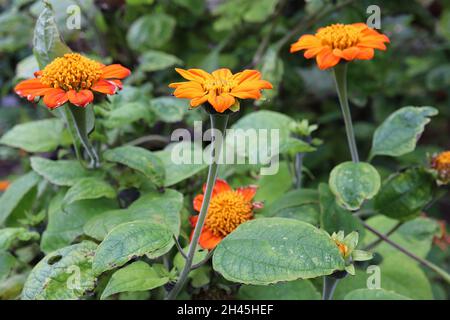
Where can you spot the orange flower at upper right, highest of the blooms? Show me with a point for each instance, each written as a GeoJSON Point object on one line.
{"type": "Point", "coordinates": [341, 41]}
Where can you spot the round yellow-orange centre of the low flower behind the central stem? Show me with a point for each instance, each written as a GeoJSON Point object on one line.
{"type": "Point", "coordinates": [227, 210]}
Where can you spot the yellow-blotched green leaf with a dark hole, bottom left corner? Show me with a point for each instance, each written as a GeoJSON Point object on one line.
{"type": "Point", "coordinates": [65, 274]}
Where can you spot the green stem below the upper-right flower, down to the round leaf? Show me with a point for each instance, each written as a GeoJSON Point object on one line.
{"type": "Point", "coordinates": [340, 79]}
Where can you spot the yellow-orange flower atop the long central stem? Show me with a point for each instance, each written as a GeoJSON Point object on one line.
{"type": "Point", "coordinates": [221, 88]}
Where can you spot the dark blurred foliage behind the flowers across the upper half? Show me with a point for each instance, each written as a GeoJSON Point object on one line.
{"type": "Point", "coordinates": [151, 37]}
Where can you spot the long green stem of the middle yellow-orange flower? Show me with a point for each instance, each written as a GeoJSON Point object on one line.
{"type": "Point", "coordinates": [219, 123]}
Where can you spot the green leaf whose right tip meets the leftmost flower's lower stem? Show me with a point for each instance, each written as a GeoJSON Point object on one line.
{"type": "Point", "coordinates": [61, 172]}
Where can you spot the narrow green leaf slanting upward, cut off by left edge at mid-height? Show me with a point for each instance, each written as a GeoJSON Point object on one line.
{"type": "Point", "coordinates": [17, 191]}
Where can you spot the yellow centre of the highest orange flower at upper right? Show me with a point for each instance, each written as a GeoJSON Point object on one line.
{"type": "Point", "coordinates": [339, 36]}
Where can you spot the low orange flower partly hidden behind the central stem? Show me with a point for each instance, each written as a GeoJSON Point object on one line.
{"type": "Point", "coordinates": [228, 209]}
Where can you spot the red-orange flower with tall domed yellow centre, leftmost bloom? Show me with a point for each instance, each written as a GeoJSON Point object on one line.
{"type": "Point", "coordinates": [73, 78]}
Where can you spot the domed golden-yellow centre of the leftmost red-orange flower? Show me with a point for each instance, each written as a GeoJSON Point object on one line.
{"type": "Point", "coordinates": [71, 72]}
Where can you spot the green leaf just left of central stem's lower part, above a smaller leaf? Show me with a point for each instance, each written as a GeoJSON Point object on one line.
{"type": "Point", "coordinates": [129, 240]}
